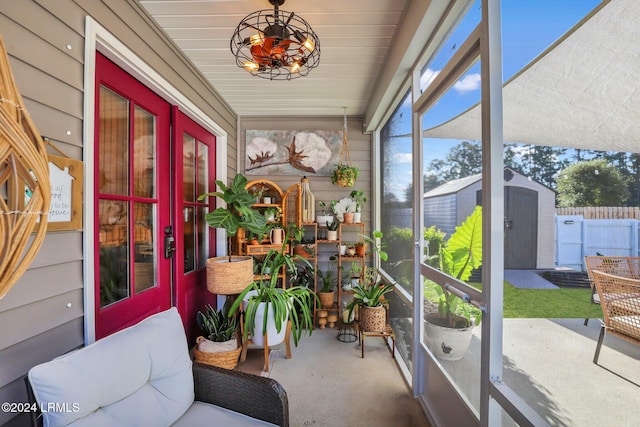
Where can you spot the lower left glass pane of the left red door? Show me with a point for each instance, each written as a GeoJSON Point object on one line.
{"type": "Point", "coordinates": [114, 251]}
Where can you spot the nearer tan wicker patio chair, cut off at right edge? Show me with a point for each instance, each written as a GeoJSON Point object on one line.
{"type": "Point", "coordinates": [617, 283]}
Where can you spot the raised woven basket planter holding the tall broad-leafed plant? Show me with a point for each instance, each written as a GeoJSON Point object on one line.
{"type": "Point", "coordinates": [229, 278]}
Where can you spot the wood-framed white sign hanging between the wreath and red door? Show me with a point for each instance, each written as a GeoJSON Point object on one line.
{"type": "Point", "coordinates": [65, 176]}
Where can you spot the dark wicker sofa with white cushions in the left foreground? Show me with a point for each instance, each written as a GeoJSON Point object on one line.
{"type": "Point", "coordinates": [144, 376]}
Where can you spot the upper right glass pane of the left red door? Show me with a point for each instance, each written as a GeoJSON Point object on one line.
{"type": "Point", "coordinates": [144, 153]}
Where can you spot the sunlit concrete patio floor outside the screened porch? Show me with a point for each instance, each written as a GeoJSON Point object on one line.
{"type": "Point", "coordinates": [548, 362]}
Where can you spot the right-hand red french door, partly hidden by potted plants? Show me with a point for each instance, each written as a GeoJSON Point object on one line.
{"type": "Point", "coordinates": [194, 150]}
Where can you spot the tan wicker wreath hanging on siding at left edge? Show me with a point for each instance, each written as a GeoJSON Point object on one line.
{"type": "Point", "coordinates": [25, 192]}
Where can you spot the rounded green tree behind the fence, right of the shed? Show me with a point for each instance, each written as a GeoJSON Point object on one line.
{"type": "Point", "coordinates": [591, 183]}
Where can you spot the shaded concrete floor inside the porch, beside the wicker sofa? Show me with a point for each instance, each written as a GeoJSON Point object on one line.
{"type": "Point", "coordinates": [329, 384]}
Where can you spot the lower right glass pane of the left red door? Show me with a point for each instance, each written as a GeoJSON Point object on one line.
{"type": "Point", "coordinates": [143, 269]}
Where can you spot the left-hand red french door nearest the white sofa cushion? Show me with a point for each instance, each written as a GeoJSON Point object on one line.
{"type": "Point", "coordinates": [132, 200]}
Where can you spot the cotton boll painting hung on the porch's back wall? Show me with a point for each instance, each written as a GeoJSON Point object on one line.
{"type": "Point", "coordinates": [292, 152]}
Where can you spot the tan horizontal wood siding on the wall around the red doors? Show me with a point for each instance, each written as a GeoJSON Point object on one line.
{"type": "Point", "coordinates": [50, 77]}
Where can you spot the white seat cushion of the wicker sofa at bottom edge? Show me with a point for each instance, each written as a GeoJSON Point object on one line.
{"type": "Point", "coordinates": [216, 416]}
